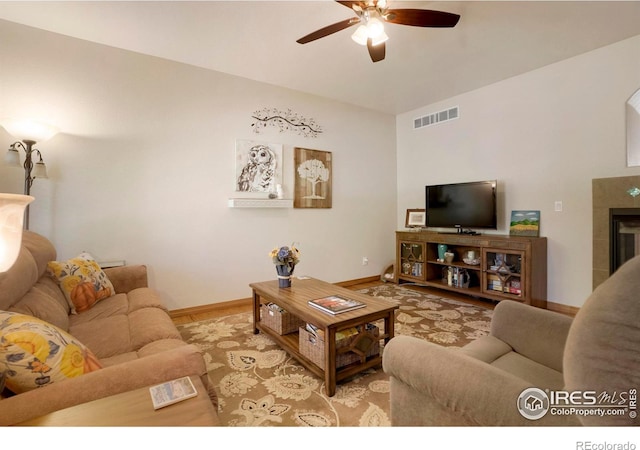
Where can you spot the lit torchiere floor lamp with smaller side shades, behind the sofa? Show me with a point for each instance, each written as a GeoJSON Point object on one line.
{"type": "Point", "coordinates": [28, 132]}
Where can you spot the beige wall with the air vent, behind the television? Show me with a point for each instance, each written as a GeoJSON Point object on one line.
{"type": "Point", "coordinates": [544, 136]}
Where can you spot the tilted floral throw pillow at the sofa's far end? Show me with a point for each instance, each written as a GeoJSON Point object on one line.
{"type": "Point", "coordinates": [82, 280]}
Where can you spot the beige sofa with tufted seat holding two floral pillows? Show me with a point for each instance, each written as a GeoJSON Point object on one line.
{"type": "Point", "coordinates": [131, 334]}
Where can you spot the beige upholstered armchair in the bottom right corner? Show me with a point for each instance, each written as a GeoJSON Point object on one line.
{"type": "Point", "coordinates": [480, 384]}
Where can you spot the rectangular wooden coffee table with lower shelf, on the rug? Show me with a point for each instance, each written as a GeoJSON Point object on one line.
{"type": "Point", "coordinates": [294, 299]}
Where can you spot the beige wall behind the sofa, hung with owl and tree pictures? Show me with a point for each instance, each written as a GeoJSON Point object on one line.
{"type": "Point", "coordinates": [145, 164]}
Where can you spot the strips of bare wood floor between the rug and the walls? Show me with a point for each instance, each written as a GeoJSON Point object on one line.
{"type": "Point", "coordinates": [189, 315]}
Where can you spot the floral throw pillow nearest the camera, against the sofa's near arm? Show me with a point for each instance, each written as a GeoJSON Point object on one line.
{"type": "Point", "coordinates": [34, 353]}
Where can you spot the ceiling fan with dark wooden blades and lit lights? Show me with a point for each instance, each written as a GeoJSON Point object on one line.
{"type": "Point", "coordinates": [371, 15]}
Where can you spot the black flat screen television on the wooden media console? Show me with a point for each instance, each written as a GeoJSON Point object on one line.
{"type": "Point", "coordinates": [462, 205]}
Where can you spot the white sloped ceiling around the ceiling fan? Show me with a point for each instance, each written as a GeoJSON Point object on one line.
{"type": "Point", "coordinates": [256, 39]}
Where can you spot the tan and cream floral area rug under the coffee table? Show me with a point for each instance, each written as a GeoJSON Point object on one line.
{"type": "Point", "coordinates": [259, 384]}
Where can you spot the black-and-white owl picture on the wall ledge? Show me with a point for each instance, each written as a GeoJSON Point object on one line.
{"type": "Point", "coordinates": [258, 166]}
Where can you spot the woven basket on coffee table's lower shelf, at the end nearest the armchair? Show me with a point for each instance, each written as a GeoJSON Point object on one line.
{"type": "Point", "coordinates": [352, 345]}
